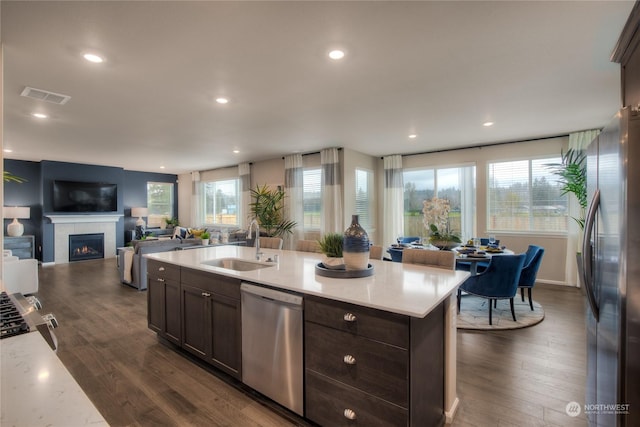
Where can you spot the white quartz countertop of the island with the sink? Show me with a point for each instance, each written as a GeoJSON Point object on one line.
{"type": "Point", "coordinates": [407, 289]}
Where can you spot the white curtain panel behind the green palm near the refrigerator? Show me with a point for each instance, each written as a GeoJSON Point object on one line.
{"type": "Point", "coordinates": [577, 141]}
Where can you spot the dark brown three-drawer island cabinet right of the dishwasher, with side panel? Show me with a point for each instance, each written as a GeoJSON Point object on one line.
{"type": "Point", "coordinates": [370, 367]}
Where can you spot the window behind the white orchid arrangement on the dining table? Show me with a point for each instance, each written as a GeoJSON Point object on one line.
{"type": "Point", "coordinates": [456, 184]}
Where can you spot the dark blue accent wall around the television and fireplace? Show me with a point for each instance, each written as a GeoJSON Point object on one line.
{"type": "Point", "coordinates": [37, 194]}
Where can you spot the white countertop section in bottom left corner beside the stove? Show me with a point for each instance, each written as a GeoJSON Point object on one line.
{"type": "Point", "coordinates": [37, 390]}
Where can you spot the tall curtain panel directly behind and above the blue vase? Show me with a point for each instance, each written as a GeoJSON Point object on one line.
{"type": "Point", "coordinates": [331, 219]}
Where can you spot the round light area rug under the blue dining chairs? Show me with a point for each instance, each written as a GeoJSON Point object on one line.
{"type": "Point", "coordinates": [474, 314]}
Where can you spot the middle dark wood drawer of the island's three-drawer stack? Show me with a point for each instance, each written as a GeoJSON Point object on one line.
{"type": "Point", "coordinates": [376, 368]}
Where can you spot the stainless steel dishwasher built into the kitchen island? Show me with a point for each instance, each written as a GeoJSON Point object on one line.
{"type": "Point", "coordinates": [272, 360]}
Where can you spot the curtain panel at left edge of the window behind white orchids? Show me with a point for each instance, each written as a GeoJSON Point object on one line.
{"type": "Point", "coordinates": [393, 200]}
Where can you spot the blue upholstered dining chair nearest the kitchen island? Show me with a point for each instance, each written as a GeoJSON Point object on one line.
{"type": "Point", "coordinates": [499, 281]}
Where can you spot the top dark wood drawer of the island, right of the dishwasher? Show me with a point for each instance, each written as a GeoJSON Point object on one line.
{"type": "Point", "coordinates": [378, 325]}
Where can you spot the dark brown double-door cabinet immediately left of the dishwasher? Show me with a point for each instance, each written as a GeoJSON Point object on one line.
{"type": "Point", "coordinates": [212, 318]}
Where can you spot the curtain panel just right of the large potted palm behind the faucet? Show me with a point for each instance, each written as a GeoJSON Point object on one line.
{"type": "Point", "coordinates": [293, 202]}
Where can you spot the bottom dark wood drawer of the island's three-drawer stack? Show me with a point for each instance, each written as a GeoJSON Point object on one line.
{"type": "Point", "coordinates": [327, 401]}
